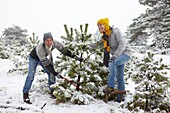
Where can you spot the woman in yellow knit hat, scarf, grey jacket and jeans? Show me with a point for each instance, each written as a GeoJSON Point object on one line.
{"type": "Point", "coordinates": [116, 45]}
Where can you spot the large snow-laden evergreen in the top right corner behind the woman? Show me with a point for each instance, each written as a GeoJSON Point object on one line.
{"type": "Point", "coordinates": [154, 23]}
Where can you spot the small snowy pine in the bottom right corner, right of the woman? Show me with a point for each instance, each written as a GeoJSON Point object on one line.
{"type": "Point", "coordinates": [152, 85]}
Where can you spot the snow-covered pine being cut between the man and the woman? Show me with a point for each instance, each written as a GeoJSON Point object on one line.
{"type": "Point", "coordinates": [90, 74]}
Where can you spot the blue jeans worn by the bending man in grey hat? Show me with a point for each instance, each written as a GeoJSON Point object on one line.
{"type": "Point", "coordinates": [33, 63]}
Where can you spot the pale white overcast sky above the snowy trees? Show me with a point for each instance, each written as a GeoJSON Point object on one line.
{"type": "Point", "coordinates": [42, 16]}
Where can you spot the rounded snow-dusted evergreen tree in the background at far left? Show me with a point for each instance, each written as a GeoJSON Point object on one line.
{"type": "Point", "coordinates": [13, 38]}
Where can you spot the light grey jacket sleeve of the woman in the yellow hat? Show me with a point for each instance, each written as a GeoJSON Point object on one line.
{"type": "Point", "coordinates": [121, 42]}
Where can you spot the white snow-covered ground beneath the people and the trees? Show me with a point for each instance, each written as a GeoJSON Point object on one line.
{"type": "Point", "coordinates": [11, 96]}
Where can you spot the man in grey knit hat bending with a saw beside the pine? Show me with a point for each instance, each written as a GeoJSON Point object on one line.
{"type": "Point", "coordinates": [42, 55]}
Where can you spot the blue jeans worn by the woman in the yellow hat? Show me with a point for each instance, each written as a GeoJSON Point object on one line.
{"type": "Point", "coordinates": [116, 70]}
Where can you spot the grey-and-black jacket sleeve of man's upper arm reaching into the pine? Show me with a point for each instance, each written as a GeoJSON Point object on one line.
{"type": "Point", "coordinates": [63, 50]}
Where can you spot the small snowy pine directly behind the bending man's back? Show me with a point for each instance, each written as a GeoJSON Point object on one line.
{"type": "Point", "coordinates": [21, 53]}
